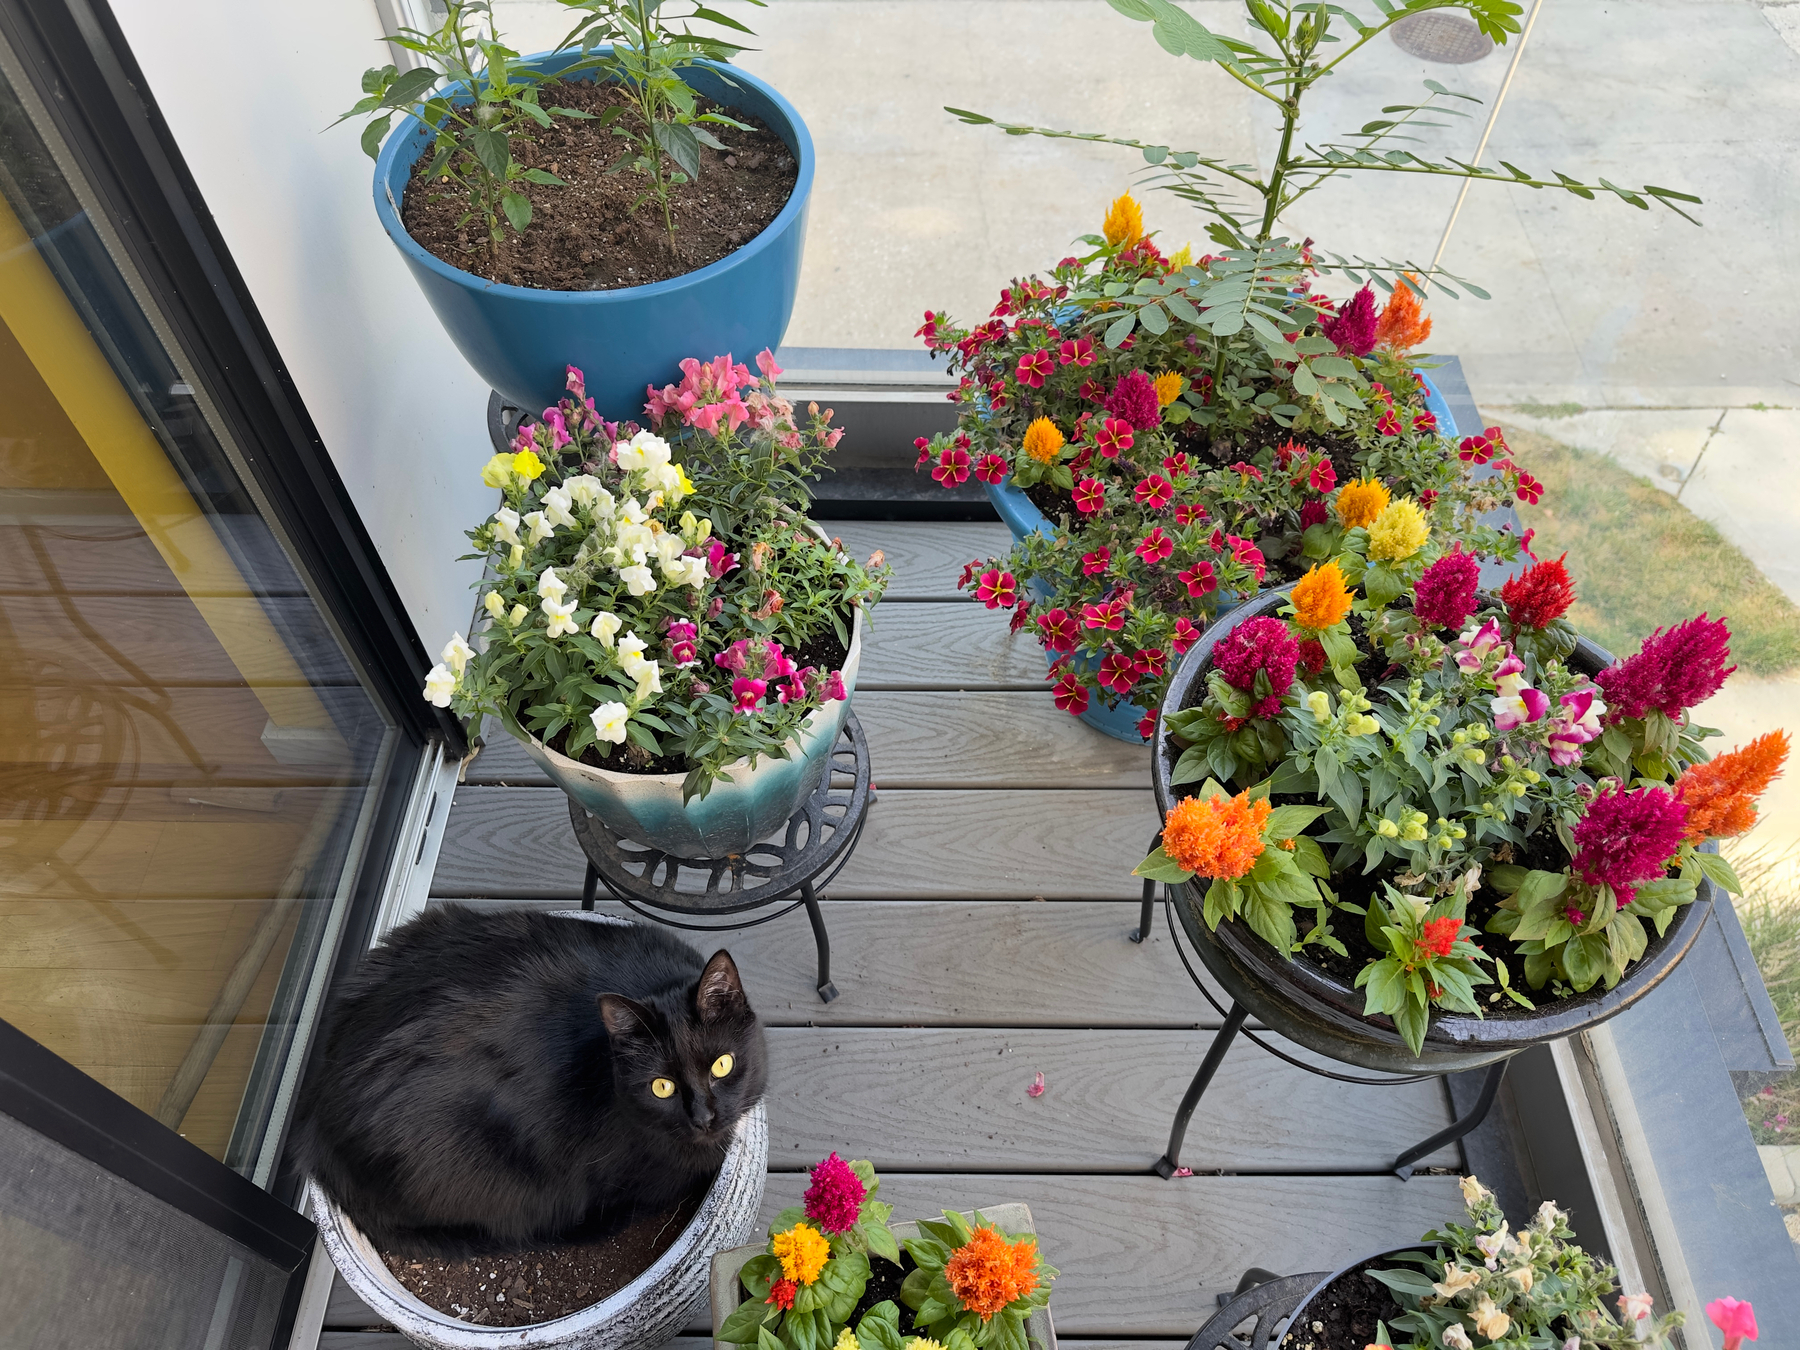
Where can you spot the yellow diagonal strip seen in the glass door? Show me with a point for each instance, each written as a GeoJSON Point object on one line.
{"type": "Point", "coordinates": [58, 345]}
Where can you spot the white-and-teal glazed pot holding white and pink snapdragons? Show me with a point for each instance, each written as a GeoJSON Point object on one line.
{"type": "Point", "coordinates": [744, 805]}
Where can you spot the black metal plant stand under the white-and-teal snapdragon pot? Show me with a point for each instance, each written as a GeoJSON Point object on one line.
{"type": "Point", "coordinates": [804, 856]}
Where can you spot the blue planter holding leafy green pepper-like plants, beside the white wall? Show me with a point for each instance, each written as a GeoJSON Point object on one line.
{"type": "Point", "coordinates": [519, 339]}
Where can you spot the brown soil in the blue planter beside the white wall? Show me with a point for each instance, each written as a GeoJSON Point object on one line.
{"type": "Point", "coordinates": [586, 237]}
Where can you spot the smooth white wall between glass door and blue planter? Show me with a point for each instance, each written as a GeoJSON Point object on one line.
{"type": "Point", "coordinates": [249, 87]}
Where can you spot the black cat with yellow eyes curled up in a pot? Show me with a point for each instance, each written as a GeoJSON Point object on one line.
{"type": "Point", "coordinates": [503, 1081]}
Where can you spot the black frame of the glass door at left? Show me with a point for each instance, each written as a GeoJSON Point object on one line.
{"type": "Point", "coordinates": [91, 87]}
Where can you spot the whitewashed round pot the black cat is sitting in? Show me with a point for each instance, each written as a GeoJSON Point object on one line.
{"type": "Point", "coordinates": [647, 1313]}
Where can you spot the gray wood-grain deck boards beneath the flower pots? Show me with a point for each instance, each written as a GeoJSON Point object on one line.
{"type": "Point", "coordinates": [980, 937]}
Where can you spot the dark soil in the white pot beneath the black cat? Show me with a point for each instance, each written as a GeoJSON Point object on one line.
{"type": "Point", "coordinates": [541, 1286]}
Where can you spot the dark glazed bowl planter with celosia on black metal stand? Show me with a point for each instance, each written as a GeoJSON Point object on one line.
{"type": "Point", "coordinates": [1315, 1009]}
